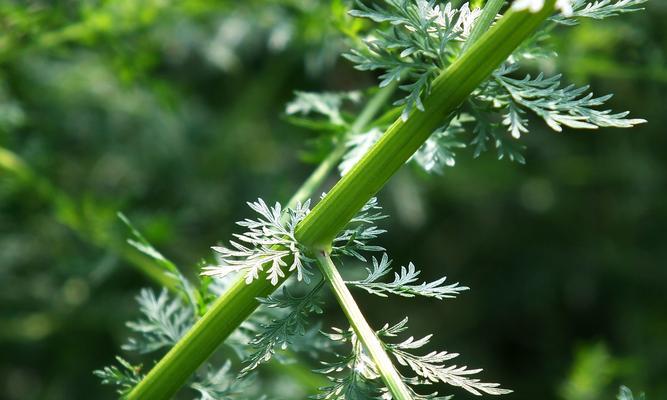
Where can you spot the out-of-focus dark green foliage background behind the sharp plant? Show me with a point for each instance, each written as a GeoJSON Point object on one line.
{"type": "Point", "coordinates": [173, 112]}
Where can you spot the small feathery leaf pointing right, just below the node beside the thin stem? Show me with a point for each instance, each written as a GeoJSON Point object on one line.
{"type": "Point", "coordinates": [404, 282]}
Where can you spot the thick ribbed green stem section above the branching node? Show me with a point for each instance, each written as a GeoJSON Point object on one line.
{"type": "Point", "coordinates": [403, 138]}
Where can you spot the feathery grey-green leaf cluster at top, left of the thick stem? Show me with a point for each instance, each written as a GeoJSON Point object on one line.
{"type": "Point", "coordinates": [417, 45]}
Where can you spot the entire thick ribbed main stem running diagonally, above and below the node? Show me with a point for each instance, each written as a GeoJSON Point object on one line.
{"type": "Point", "coordinates": [331, 214]}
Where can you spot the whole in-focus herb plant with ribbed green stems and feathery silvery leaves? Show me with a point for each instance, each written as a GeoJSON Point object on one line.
{"type": "Point", "coordinates": [457, 67]}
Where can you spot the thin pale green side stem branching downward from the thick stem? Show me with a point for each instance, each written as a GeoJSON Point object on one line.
{"type": "Point", "coordinates": [365, 333]}
